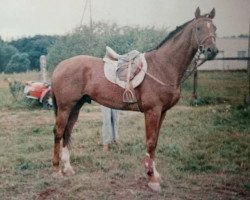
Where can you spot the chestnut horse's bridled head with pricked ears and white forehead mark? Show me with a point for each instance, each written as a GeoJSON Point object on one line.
{"type": "Point", "coordinates": [204, 33]}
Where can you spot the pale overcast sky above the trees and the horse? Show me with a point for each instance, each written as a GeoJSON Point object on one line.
{"type": "Point", "coordinates": [23, 18]}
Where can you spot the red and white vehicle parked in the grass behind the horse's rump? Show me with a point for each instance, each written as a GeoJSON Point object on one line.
{"type": "Point", "coordinates": [39, 91]}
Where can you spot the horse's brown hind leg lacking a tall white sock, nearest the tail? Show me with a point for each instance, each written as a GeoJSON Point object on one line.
{"type": "Point", "coordinates": [61, 123]}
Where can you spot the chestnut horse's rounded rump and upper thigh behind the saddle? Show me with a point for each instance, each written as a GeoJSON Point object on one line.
{"type": "Point", "coordinates": [70, 76]}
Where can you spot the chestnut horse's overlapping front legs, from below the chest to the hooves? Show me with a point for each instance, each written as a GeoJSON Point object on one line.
{"type": "Point", "coordinates": [153, 120]}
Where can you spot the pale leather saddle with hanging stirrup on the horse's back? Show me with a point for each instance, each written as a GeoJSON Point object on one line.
{"type": "Point", "coordinates": [128, 66]}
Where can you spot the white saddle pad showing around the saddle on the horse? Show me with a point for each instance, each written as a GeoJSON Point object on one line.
{"type": "Point", "coordinates": [110, 68]}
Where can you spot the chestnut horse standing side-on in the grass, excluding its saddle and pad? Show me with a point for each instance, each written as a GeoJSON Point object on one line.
{"type": "Point", "coordinates": [81, 79]}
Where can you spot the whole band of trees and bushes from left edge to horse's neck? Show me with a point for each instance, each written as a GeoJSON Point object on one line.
{"type": "Point", "coordinates": [23, 54]}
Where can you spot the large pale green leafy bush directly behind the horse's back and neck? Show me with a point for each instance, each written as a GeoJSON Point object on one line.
{"type": "Point", "coordinates": [92, 41]}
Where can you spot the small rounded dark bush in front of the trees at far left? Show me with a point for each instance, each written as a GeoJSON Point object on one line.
{"type": "Point", "coordinates": [18, 63]}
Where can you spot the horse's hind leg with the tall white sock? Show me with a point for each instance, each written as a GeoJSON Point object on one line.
{"type": "Point", "coordinates": [68, 170]}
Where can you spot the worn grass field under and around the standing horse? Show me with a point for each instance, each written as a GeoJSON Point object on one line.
{"type": "Point", "coordinates": [203, 150]}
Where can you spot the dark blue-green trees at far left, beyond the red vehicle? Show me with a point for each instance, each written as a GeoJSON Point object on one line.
{"type": "Point", "coordinates": [23, 54]}
